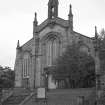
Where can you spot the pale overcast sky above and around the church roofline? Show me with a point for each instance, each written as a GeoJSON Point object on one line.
{"type": "Point", "coordinates": [16, 21]}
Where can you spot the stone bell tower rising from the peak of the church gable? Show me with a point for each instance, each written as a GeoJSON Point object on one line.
{"type": "Point", "coordinates": [52, 9]}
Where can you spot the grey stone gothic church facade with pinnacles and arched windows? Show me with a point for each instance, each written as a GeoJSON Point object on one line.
{"type": "Point", "coordinates": [49, 41]}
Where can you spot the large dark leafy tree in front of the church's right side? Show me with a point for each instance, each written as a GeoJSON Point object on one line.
{"type": "Point", "coordinates": [76, 67]}
